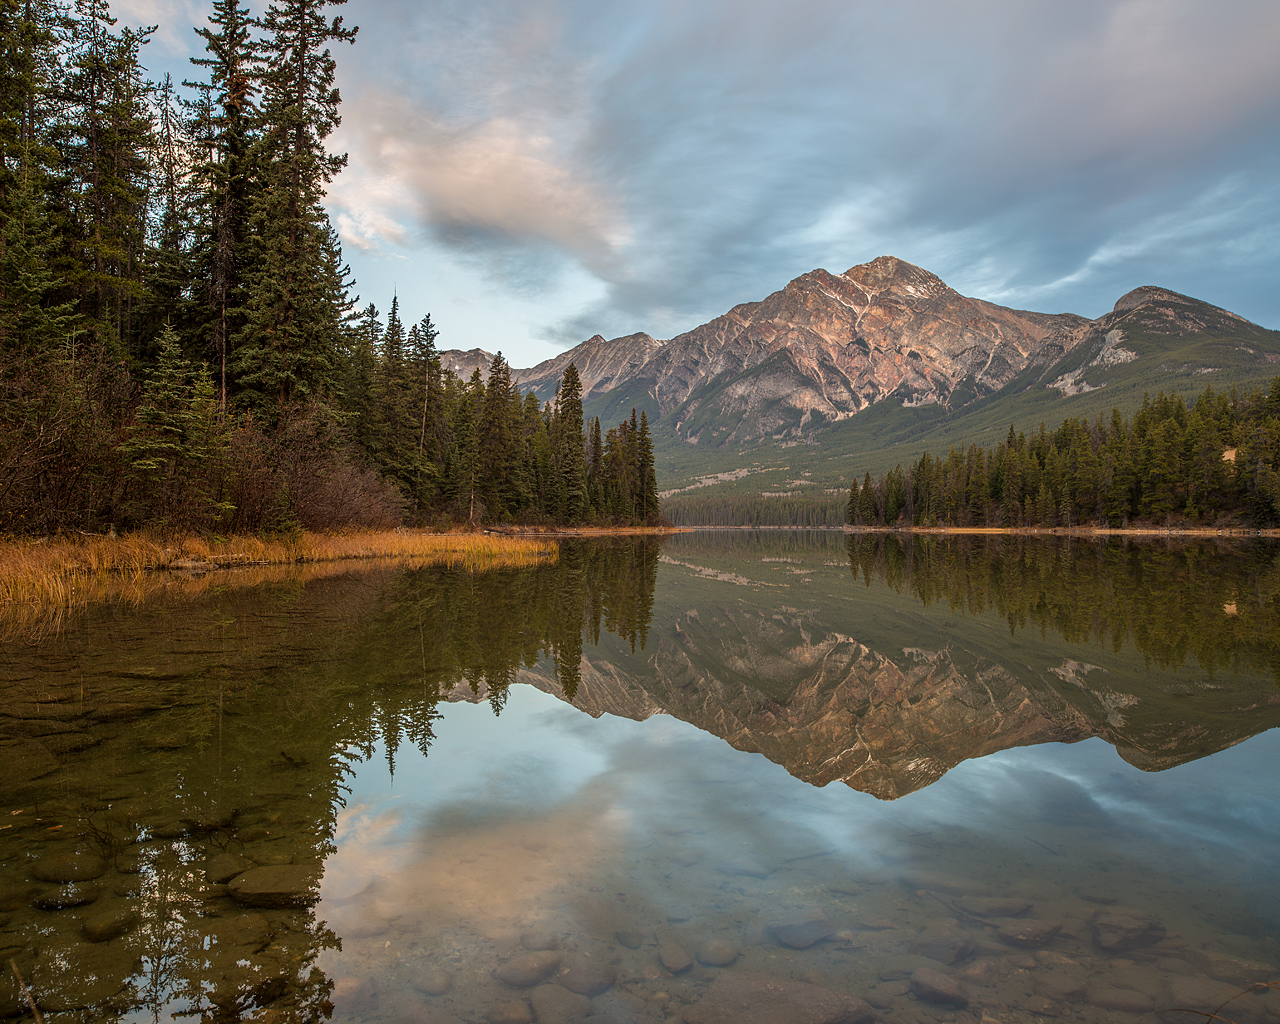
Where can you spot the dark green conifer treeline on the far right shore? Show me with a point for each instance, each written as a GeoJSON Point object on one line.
{"type": "Point", "coordinates": [1214, 463]}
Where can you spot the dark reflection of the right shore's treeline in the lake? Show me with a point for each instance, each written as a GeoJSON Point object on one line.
{"type": "Point", "coordinates": [1214, 604]}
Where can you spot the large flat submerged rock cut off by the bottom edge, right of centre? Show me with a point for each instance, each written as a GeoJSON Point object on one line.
{"type": "Point", "coordinates": [738, 998]}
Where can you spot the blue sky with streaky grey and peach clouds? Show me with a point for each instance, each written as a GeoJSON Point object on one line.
{"type": "Point", "coordinates": [534, 173]}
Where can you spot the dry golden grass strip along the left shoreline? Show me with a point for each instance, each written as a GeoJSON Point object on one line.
{"type": "Point", "coordinates": [44, 580]}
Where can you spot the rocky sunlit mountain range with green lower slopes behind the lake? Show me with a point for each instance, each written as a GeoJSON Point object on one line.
{"type": "Point", "coordinates": [836, 374]}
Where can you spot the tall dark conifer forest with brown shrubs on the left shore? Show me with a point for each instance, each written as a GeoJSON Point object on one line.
{"type": "Point", "coordinates": [181, 344]}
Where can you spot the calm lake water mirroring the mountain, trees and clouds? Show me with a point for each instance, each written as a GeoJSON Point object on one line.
{"type": "Point", "coordinates": [725, 779]}
